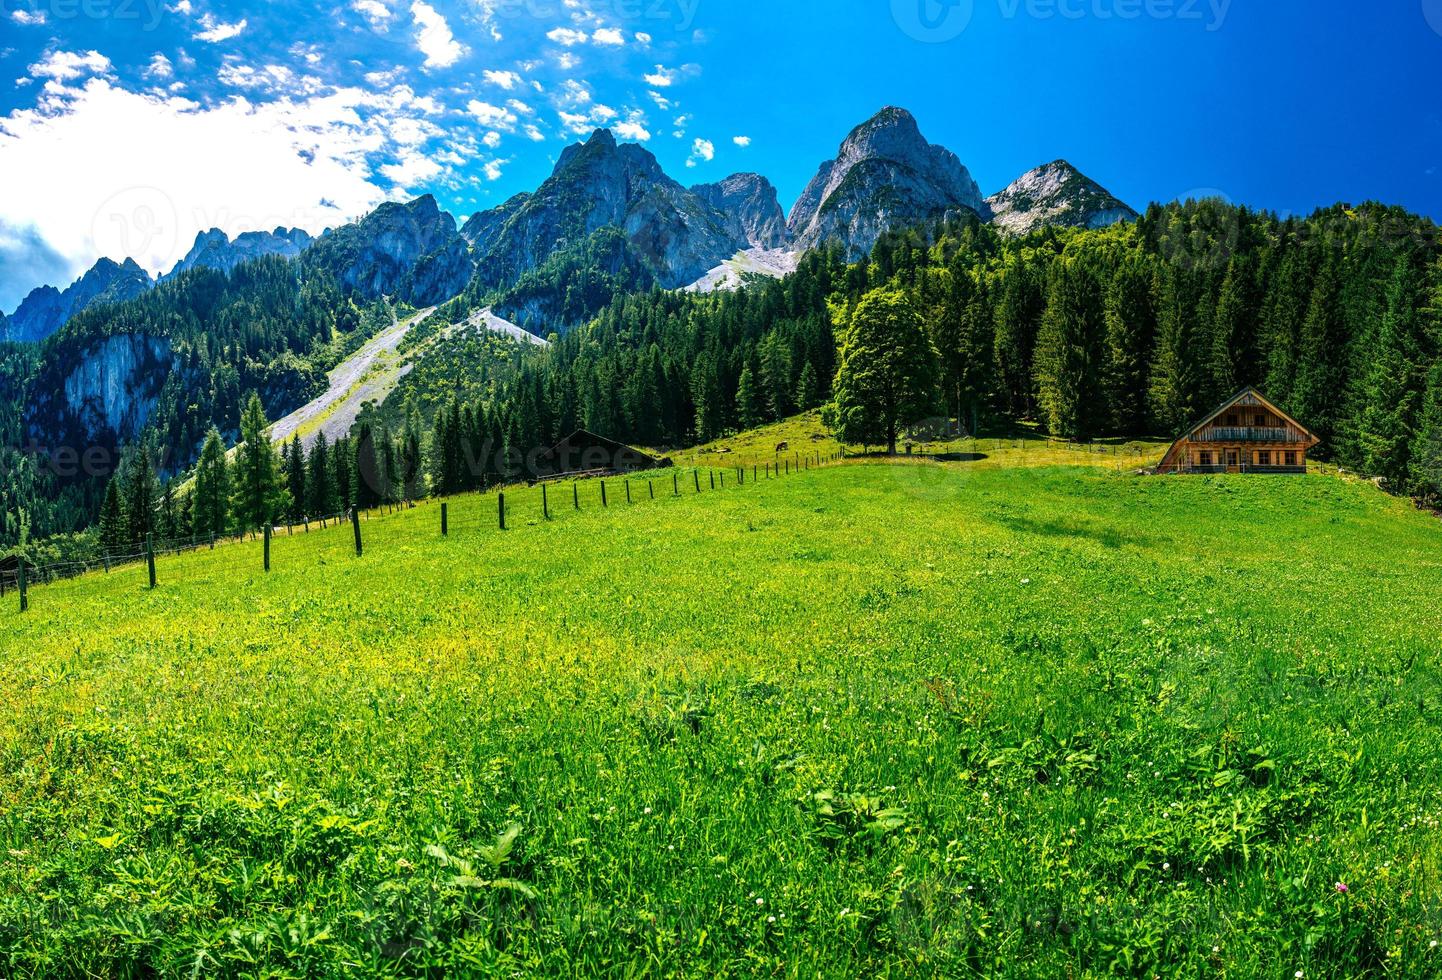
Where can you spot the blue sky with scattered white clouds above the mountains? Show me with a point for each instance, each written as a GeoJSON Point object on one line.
{"type": "Point", "coordinates": [126, 126]}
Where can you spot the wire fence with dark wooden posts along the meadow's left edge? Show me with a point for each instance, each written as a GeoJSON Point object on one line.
{"type": "Point", "coordinates": [514, 507]}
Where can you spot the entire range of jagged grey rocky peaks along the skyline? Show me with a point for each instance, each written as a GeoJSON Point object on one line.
{"type": "Point", "coordinates": [611, 218]}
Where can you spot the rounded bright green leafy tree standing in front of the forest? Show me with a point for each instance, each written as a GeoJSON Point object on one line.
{"type": "Point", "coordinates": [889, 373]}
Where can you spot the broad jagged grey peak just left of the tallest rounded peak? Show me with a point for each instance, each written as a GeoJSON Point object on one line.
{"type": "Point", "coordinates": [601, 184]}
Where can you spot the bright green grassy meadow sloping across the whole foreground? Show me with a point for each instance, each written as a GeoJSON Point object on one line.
{"type": "Point", "coordinates": [873, 720]}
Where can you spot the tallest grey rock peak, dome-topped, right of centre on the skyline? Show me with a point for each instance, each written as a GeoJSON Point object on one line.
{"type": "Point", "coordinates": [886, 177]}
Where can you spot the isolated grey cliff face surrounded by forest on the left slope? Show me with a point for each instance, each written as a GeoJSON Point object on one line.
{"type": "Point", "coordinates": [116, 384]}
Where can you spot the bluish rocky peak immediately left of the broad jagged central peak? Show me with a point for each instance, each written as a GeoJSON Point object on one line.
{"type": "Point", "coordinates": [377, 254]}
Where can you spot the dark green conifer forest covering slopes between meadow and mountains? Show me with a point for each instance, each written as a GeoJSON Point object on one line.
{"type": "Point", "coordinates": [1131, 331]}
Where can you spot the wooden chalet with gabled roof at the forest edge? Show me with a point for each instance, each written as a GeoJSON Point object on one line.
{"type": "Point", "coordinates": [1248, 435]}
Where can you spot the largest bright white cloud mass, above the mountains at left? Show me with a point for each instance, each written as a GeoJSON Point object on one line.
{"type": "Point", "coordinates": [237, 165]}
